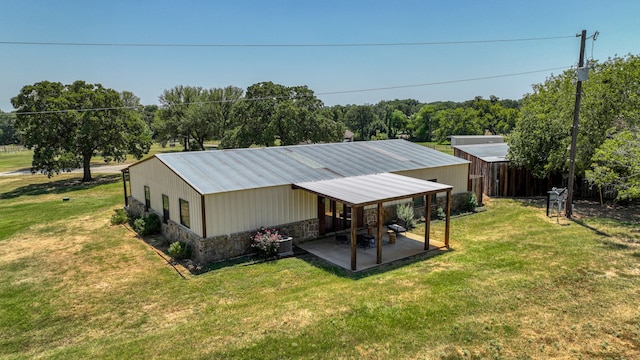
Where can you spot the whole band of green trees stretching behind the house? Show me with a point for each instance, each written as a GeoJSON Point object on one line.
{"type": "Point", "coordinates": [53, 120]}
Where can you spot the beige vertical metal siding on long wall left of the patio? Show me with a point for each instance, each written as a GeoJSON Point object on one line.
{"type": "Point", "coordinates": [238, 211]}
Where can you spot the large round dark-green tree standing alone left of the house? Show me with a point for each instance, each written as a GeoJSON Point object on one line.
{"type": "Point", "coordinates": [61, 126]}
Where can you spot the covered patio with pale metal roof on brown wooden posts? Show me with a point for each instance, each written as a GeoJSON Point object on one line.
{"type": "Point", "coordinates": [377, 189]}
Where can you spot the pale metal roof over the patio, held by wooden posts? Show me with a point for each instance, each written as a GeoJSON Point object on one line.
{"type": "Point", "coordinates": [371, 189]}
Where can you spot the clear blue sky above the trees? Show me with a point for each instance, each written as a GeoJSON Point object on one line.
{"type": "Point", "coordinates": [147, 71]}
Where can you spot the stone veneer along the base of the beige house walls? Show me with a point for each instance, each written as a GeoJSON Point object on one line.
{"type": "Point", "coordinates": [205, 250]}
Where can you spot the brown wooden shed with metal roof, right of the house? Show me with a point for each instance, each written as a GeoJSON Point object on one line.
{"type": "Point", "coordinates": [489, 164]}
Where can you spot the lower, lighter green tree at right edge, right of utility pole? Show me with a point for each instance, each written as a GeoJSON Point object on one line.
{"type": "Point", "coordinates": [617, 162]}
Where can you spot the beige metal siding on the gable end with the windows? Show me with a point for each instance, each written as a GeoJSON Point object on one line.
{"type": "Point", "coordinates": [161, 180]}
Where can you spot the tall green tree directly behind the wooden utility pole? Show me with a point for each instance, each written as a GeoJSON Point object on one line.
{"type": "Point", "coordinates": [610, 104]}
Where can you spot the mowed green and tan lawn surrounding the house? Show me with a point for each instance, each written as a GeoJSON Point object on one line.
{"type": "Point", "coordinates": [515, 285]}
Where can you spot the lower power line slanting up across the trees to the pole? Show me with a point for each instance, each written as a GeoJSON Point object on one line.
{"type": "Point", "coordinates": [316, 94]}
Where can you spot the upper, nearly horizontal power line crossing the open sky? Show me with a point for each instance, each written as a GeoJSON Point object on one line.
{"type": "Point", "coordinates": [426, 43]}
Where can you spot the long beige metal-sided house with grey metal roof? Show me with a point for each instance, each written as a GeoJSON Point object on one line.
{"type": "Point", "coordinates": [213, 200]}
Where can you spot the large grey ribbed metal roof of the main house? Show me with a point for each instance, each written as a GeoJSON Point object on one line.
{"type": "Point", "coordinates": [219, 171]}
